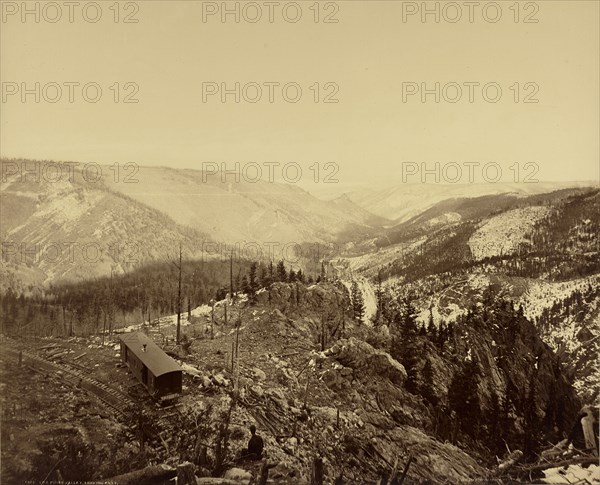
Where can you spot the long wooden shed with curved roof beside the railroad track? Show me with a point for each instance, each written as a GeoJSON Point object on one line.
{"type": "Point", "coordinates": [158, 372]}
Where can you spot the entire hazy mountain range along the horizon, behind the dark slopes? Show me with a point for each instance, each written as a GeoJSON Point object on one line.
{"type": "Point", "coordinates": [76, 228]}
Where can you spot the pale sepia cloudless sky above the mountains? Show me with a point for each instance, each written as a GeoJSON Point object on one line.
{"type": "Point", "coordinates": [369, 53]}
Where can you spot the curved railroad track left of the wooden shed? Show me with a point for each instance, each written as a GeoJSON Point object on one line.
{"type": "Point", "coordinates": [111, 397]}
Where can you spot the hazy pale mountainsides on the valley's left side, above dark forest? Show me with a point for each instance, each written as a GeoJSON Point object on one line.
{"type": "Point", "coordinates": [79, 226]}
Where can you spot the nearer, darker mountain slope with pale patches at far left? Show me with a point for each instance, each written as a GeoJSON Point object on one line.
{"type": "Point", "coordinates": [73, 229]}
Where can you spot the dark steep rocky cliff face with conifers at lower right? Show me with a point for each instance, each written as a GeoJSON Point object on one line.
{"type": "Point", "coordinates": [489, 381]}
